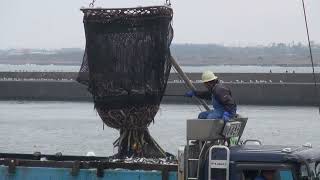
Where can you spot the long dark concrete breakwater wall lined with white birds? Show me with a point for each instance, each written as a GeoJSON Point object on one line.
{"type": "Point", "coordinates": [255, 89]}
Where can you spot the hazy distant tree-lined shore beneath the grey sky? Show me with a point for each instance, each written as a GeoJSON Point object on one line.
{"type": "Point", "coordinates": [278, 54]}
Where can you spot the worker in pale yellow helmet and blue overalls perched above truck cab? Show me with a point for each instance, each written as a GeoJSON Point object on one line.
{"type": "Point", "coordinates": [224, 106]}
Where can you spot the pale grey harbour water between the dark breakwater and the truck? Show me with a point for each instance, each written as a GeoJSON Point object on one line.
{"type": "Point", "coordinates": [75, 128]}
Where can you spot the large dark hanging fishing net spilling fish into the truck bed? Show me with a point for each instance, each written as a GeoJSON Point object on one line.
{"type": "Point", "coordinates": [126, 66]}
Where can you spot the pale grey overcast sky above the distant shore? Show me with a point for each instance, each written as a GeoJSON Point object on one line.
{"type": "Point", "coordinates": [58, 23]}
